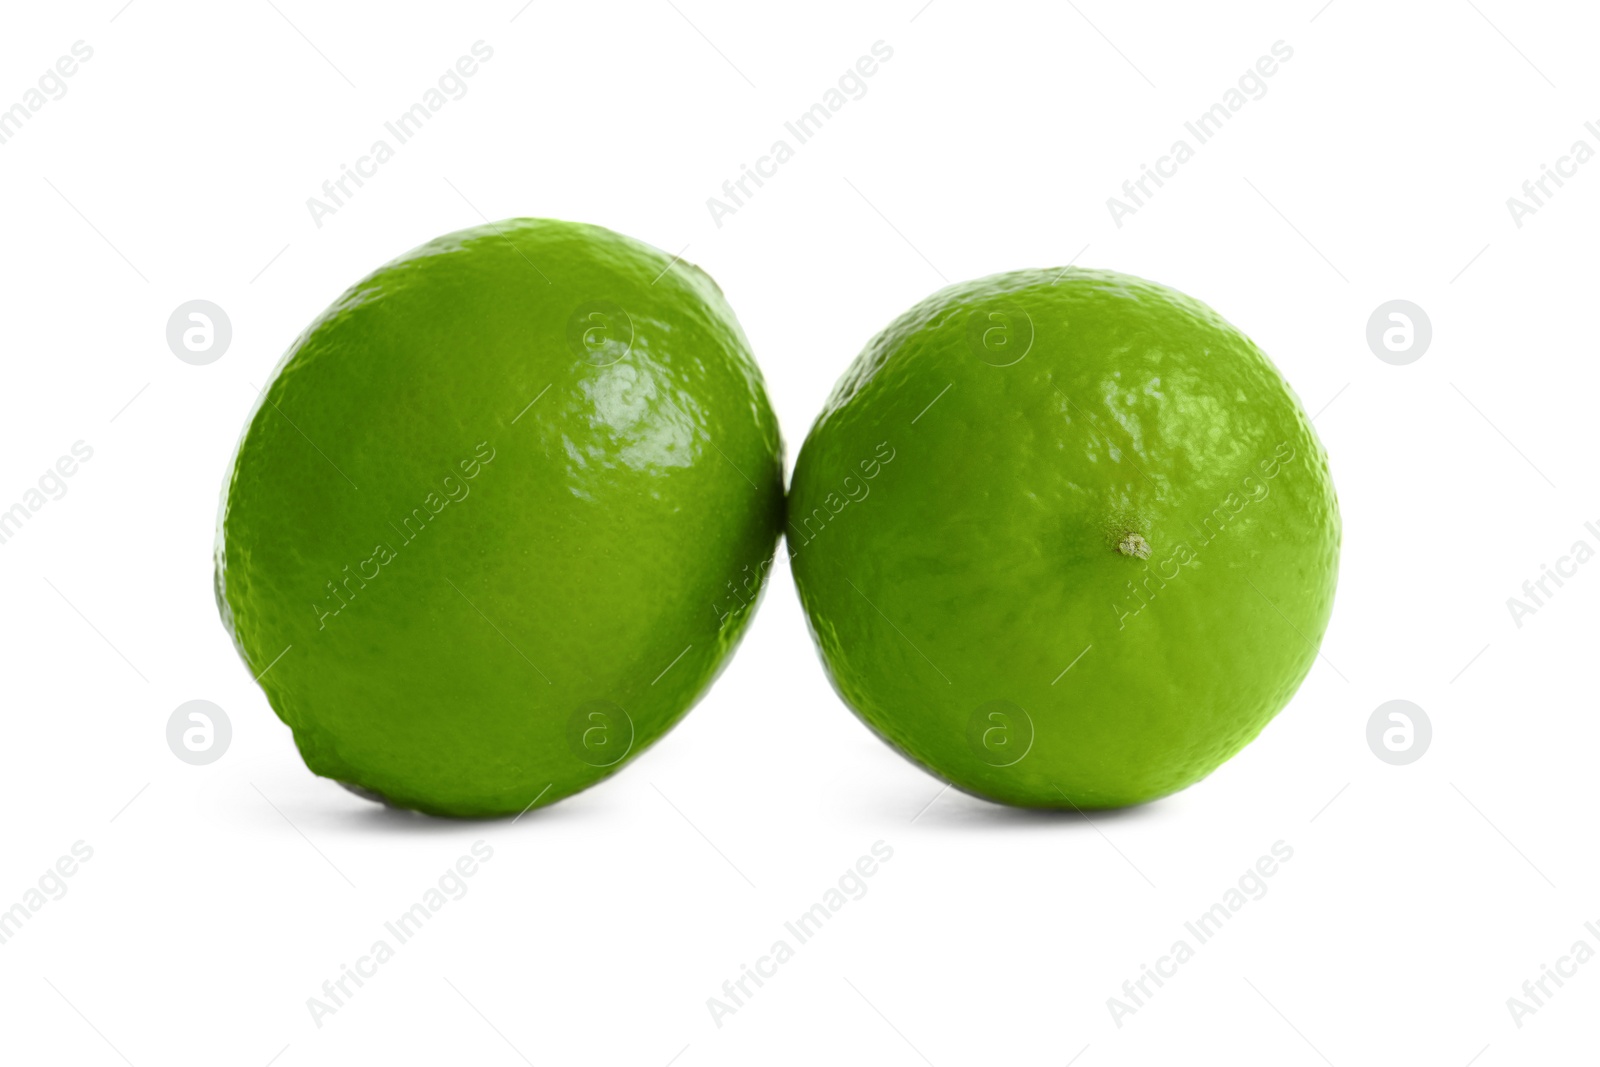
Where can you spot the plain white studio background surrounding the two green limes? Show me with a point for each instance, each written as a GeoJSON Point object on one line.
{"type": "Point", "coordinates": [1377, 167]}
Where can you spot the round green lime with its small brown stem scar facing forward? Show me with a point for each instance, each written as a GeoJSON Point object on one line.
{"type": "Point", "coordinates": [1047, 430]}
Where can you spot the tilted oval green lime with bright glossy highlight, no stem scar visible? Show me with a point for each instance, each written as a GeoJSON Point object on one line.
{"type": "Point", "coordinates": [487, 543]}
